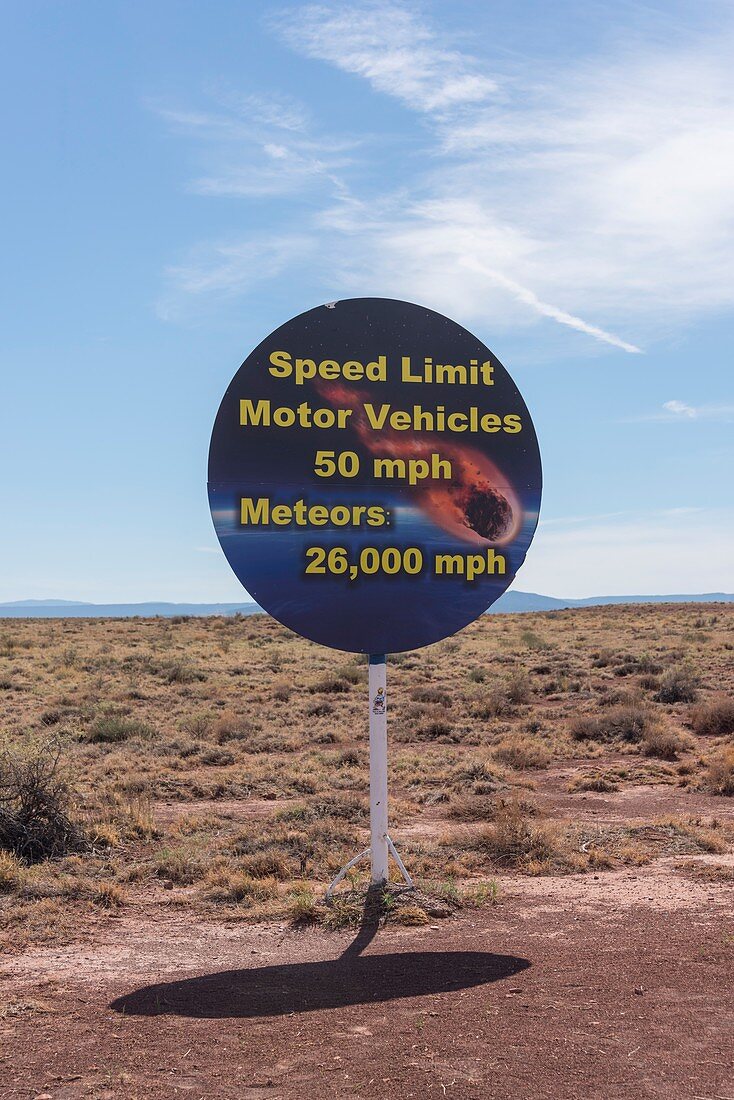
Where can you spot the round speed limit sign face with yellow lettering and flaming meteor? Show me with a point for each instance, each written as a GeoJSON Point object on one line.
{"type": "Point", "coordinates": [375, 476]}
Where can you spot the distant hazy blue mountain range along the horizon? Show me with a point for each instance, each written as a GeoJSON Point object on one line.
{"type": "Point", "coordinates": [511, 602]}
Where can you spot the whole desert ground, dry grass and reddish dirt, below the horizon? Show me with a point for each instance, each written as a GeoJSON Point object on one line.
{"type": "Point", "coordinates": [177, 795]}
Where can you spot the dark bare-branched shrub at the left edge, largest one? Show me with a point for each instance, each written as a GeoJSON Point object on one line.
{"type": "Point", "coordinates": [36, 819]}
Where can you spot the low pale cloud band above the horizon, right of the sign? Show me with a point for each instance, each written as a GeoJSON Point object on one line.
{"type": "Point", "coordinates": [682, 551]}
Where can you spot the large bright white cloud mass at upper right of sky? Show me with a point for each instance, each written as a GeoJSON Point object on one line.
{"type": "Point", "coordinates": [610, 183]}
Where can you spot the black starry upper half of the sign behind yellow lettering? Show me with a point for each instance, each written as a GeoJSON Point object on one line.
{"type": "Point", "coordinates": [361, 329]}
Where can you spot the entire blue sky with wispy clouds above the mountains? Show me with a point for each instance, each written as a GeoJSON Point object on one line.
{"type": "Point", "coordinates": [180, 179]}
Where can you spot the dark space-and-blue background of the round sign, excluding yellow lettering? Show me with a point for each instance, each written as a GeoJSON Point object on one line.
{"type": "Point", "coordinates": [379, 613]}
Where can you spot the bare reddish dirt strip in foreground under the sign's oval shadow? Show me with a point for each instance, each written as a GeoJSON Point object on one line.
{"type": "Point", "coordinates": [596, 988]}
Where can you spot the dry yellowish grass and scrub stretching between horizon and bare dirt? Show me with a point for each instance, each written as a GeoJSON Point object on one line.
{"type": "Point", "coordinates": [222, 765]}
